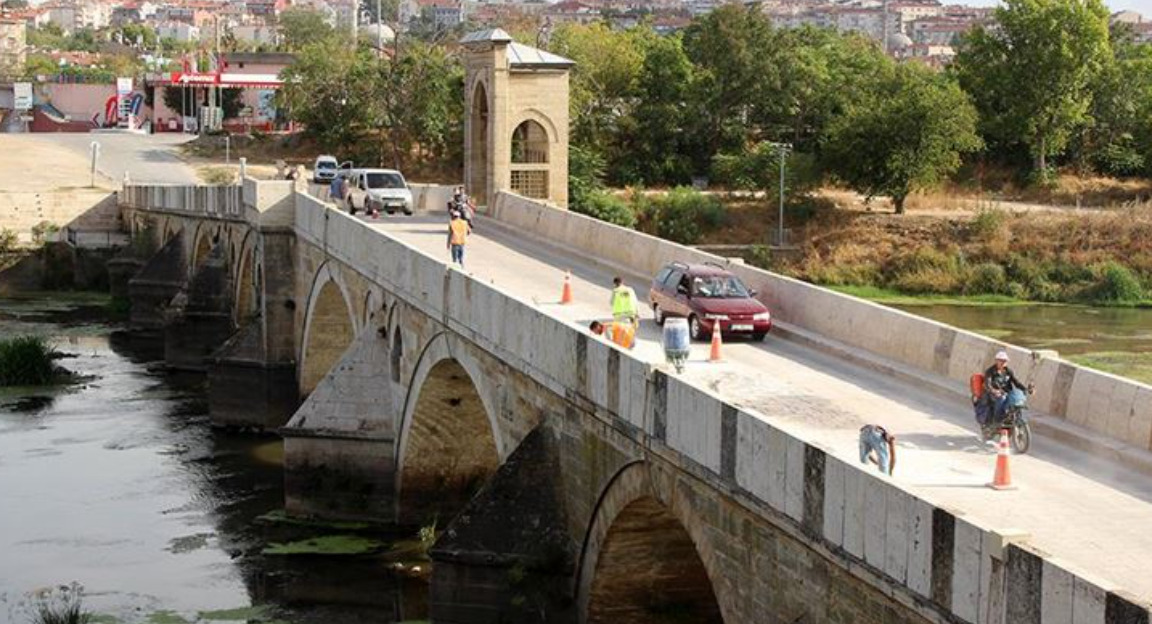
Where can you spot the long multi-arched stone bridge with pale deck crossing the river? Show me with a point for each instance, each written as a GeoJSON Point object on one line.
{"type": "Point", "coordinates": [580, 483]}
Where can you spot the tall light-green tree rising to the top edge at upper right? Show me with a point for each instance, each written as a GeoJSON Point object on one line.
{"type": "Point", "coordinates": [1030, 75]}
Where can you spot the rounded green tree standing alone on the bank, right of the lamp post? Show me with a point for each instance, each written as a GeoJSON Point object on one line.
{"type": "Point", "coordinates": [911, 135]}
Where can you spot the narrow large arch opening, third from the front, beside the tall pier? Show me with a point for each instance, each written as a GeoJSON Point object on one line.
{"type": "Point", "coordinates": [330, 326]}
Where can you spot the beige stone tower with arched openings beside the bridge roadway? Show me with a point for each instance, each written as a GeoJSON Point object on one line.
{"type": "Point", "coordinates": [517, 123]}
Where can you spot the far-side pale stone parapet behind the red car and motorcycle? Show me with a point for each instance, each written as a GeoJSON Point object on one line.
{"type": "Point", "coordinates": [1113, 407]}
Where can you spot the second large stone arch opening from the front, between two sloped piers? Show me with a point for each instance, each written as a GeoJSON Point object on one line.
{"type": "Point", "coordinates": [450, 443]}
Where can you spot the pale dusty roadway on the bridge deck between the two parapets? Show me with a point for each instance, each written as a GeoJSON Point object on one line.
{"type": "Point", "coordinates": [1090, 513]}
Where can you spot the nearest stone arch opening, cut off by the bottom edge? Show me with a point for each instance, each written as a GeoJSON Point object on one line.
{"type": "Point", "coordinates": [641, 561]}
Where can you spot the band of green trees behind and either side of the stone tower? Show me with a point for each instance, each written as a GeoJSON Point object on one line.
{"type": "Point", "coordinates": [1048, 85]}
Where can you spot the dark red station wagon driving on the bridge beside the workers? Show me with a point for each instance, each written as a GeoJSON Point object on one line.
{"type": "Point", "coordinates": [709, 298]}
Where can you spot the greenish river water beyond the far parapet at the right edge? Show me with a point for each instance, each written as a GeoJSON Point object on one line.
{"type": "Point", "coordinates": [1118, 340]}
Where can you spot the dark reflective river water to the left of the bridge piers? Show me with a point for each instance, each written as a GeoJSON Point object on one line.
{"type": "Point", "coordinates": [120, 484]}
